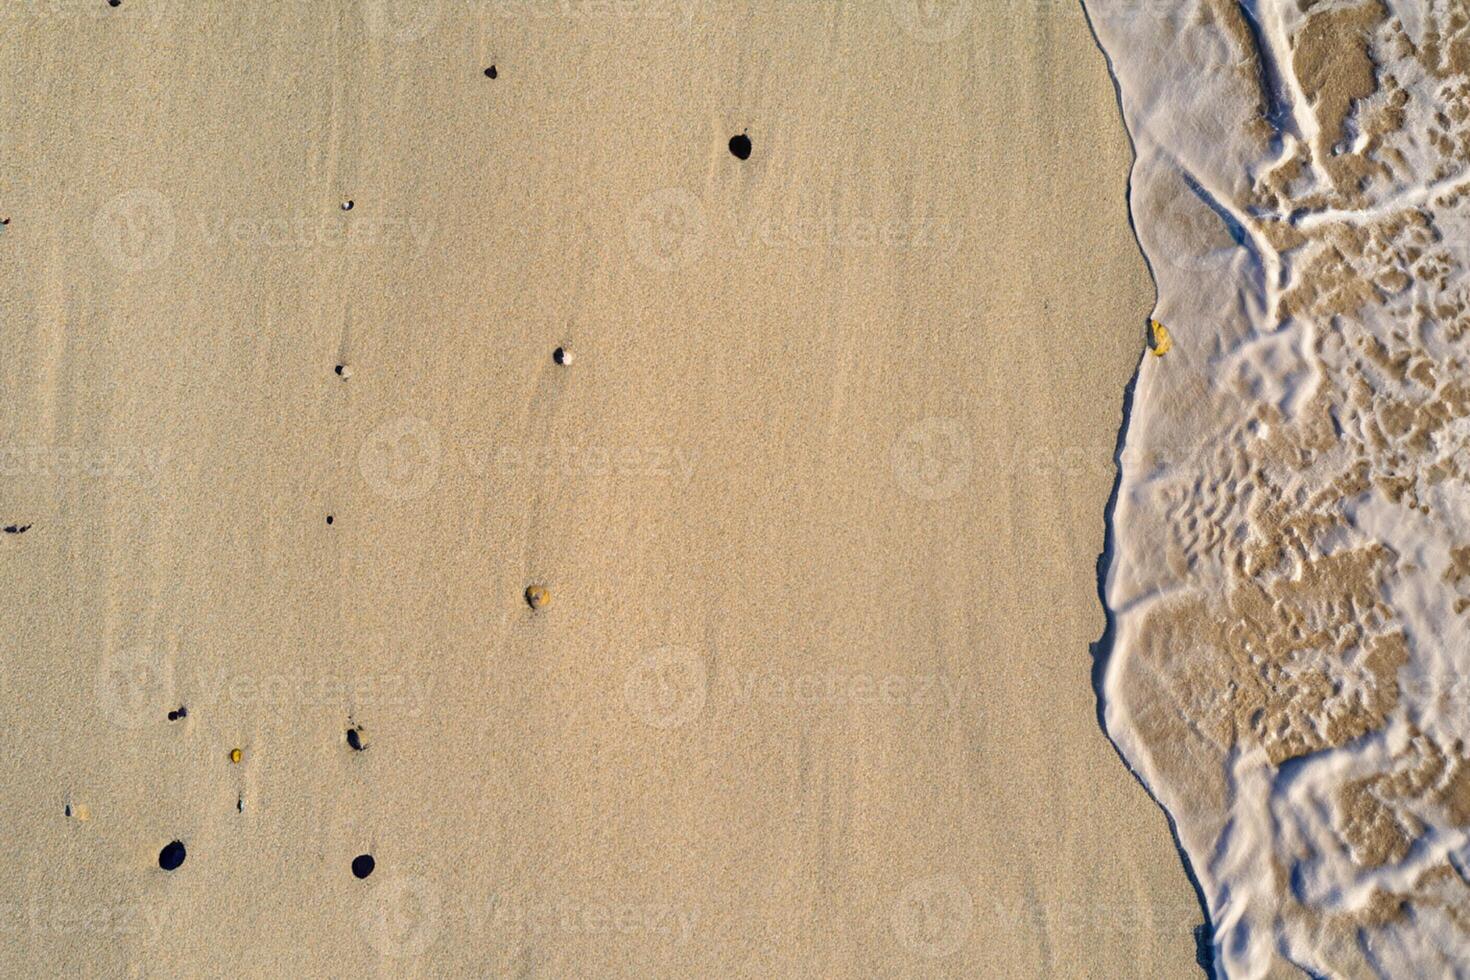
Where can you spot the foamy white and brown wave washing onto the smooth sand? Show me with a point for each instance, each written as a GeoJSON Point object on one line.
{"type": "Point", "coordinates": [1291, 575]}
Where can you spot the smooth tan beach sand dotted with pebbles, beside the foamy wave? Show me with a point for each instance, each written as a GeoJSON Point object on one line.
{"type": "Point", "coordinates": [818, 500]}
